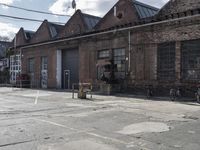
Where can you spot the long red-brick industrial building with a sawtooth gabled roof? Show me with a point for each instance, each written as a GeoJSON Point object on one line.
{"type": "Point", "coordinates": [133, 45]}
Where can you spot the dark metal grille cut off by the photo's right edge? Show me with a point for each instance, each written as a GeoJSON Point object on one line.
{"type": "Point", "coordinates": [190, 60]}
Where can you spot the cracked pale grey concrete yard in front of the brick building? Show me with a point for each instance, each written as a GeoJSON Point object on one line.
{"type": "Point", "coordinates": [47, 120]}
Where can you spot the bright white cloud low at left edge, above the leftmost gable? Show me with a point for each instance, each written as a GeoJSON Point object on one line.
{"type": "Point", "coordinates": [8, 30]}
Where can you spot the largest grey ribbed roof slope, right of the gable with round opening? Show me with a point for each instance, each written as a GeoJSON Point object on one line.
{"type": "Point", "coordinates": [145, 10]}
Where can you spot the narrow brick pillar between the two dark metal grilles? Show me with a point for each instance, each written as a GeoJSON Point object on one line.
{"type": "Point", "coordinates": [178, 62]}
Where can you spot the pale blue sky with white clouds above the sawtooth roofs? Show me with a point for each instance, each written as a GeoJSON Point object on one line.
{"type": "Point", "coordinates": [9, 27]}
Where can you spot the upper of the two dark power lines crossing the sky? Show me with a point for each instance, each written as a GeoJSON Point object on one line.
{"type": "Point", "coordinates": [32, 10]}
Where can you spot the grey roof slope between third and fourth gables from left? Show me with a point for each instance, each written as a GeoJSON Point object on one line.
{"type": "Point", "coordinates": [90, 20]}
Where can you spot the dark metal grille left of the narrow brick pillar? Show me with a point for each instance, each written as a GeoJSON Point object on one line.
{"type": "Point", "coordinates": [166, 61]}
